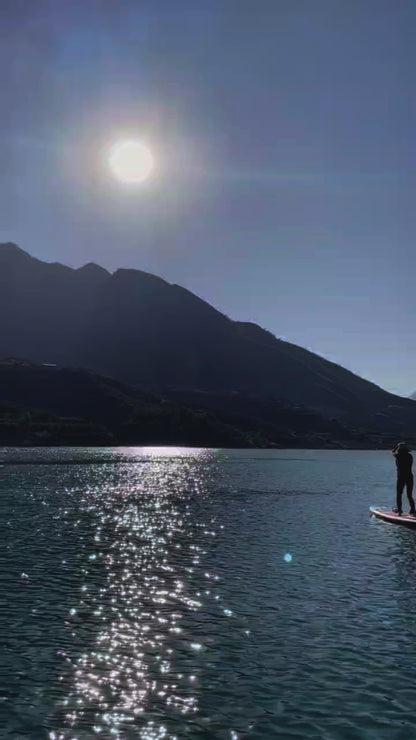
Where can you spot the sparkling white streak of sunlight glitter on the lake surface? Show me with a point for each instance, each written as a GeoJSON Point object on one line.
{"type": "Point", "coordinates": [141, 662]}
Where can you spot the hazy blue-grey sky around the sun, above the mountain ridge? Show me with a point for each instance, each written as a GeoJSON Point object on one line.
{"type": "Point", "coordinates": [283, 138]}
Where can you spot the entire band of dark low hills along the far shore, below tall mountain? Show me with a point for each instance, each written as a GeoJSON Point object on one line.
{"type": "Point", "coordinates": [51, 405]}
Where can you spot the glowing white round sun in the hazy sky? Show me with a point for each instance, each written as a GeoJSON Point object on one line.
{"type": "Point", "coordinates": [131, 161]}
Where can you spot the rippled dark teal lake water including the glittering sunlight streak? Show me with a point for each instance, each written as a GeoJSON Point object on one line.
{"type": "Point", "coordinates": [177, 593]}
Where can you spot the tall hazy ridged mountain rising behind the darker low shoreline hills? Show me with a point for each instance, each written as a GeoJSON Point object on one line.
{"type": "Point", "coordinates": [143, 331]}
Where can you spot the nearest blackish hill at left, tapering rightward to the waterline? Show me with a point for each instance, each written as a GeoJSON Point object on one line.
{"type": "Point", "coordinates": [51, 405]}
